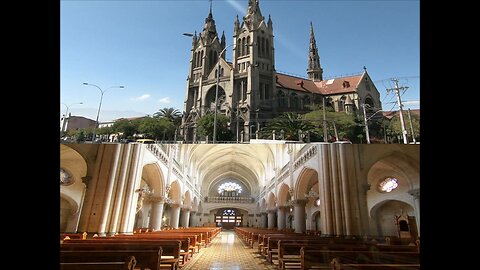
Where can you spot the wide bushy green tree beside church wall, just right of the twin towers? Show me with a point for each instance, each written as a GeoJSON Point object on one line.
{"type": "Point", "coordinates": [291, 123]}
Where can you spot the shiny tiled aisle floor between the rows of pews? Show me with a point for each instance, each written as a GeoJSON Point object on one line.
{"type": "Point", "coordinates": [227, 251]}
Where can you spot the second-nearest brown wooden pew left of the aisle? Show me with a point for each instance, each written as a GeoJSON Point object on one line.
{"type": "Point", "coordinates": [169, 259]}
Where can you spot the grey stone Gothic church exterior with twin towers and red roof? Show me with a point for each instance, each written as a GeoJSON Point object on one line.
{"type": "Point", "coordinates": [250, 91]}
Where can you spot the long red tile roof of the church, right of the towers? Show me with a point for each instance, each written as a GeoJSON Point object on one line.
{"type": "Point", "coordinates": [325, 87]}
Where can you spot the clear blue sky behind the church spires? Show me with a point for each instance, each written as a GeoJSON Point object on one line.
{"type": "Point", "coordinates": [139, 44]}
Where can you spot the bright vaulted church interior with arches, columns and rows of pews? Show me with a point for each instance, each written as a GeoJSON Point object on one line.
{"type": "Point", "coordinates": [247, 197]}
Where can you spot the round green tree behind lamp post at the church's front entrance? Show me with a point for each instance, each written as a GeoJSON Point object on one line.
{"type": "Point", "coordinates": [205, 127]}
